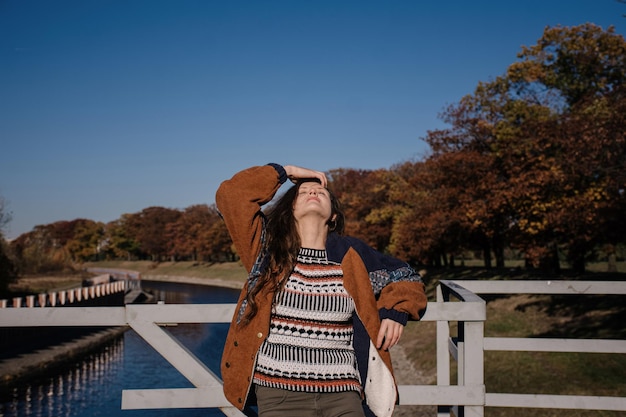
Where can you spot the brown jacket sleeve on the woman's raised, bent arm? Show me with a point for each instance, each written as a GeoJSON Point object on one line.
{"type": "Point", "coordinates": [239, 201]}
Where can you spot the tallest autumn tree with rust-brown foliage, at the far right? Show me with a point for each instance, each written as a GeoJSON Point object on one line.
{"type": "Point", "coordinates": [544, 132]}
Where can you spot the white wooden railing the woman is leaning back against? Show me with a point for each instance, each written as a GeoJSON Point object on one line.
{"type": "Point", "coordinates": [455, 304]}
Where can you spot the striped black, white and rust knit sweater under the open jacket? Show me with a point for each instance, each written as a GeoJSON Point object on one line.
{"type": "Point", "coordinates": [309, 347]}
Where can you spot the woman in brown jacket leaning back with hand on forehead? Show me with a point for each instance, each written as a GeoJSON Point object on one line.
{"type": "Point", "coordinates": [319, 311]}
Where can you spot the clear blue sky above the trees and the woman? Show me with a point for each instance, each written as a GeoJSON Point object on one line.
{"type": "Point", "coordinates": [109, 106]}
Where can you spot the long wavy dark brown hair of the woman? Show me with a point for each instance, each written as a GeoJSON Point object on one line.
{"type": "Point", "coordinates": [283, 242]}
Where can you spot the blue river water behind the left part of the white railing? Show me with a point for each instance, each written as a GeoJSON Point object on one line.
{"type": "Point", "coordinates": [93, 386]}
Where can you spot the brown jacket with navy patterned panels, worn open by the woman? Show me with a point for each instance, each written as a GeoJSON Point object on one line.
{"type": "Point", "coordinates": [381, 286]}
